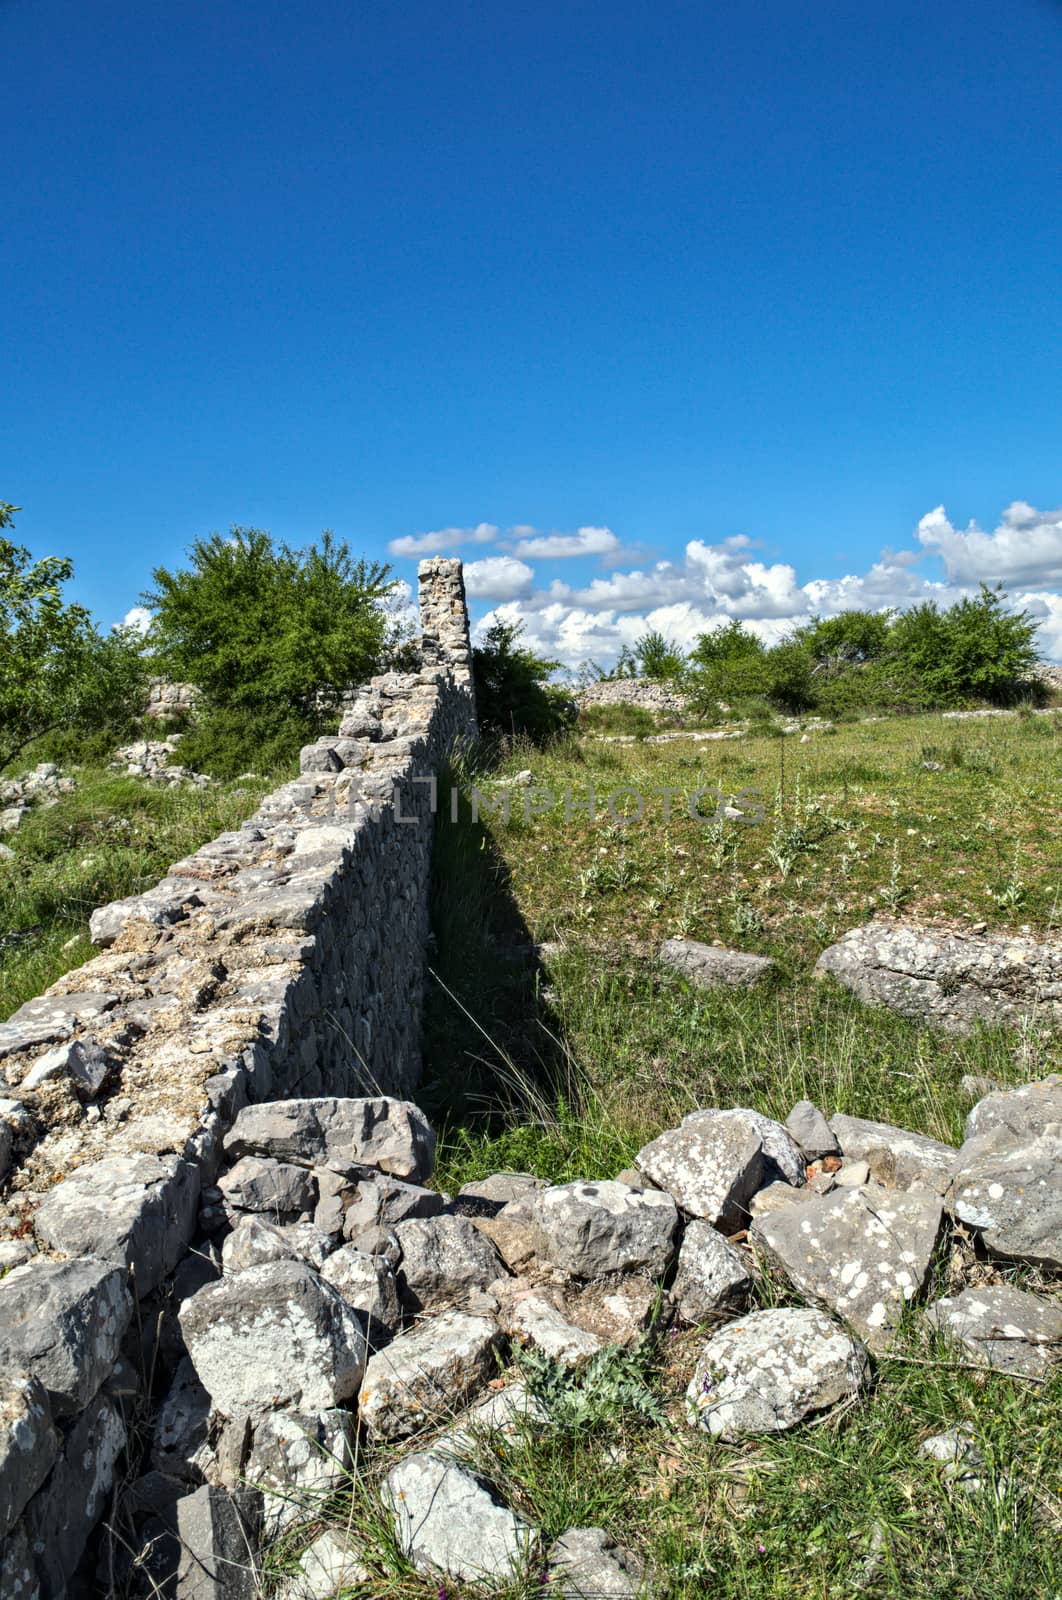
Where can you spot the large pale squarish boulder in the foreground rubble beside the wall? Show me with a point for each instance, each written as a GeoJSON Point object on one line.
{"type": "Point", "coordinates": [274, 1335]}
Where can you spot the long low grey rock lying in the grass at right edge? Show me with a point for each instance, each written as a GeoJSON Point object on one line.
{"type": "Point", "coordinates": [948, 980]}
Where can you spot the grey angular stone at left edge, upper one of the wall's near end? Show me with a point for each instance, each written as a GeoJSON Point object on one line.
{"type": "Point", "coordinates": [65, 1322]}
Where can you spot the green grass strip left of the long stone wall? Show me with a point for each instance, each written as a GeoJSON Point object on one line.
{"type": "Point", "coordinates": [111, 838]}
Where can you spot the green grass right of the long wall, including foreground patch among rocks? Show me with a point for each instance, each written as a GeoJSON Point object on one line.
{"type": "Point", "coordinates": [556, 1044]}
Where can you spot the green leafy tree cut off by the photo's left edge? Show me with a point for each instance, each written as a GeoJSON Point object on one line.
{"type": "Point", "coordinates": [57, 670]}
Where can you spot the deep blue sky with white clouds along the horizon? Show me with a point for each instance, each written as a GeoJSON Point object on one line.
{"type": "Point", "coordinates": [746, 292]}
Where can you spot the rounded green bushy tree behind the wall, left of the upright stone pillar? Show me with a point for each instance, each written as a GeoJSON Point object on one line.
{"type": "Point", "coordinates": [271, 638]}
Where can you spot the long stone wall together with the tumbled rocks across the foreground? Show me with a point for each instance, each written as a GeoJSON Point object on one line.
{"type": "Point", "coordinates": [231, 1287]}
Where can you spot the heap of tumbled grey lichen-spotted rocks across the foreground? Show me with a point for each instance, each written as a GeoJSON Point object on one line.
{"type": "Point", "coordinates": [343, 1327]}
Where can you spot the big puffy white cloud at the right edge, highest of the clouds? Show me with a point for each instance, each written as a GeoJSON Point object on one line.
{"type": "Point", "coordinates": [1024, 550]}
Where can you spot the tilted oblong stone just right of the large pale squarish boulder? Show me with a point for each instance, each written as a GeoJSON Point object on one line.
{"type": "Point", "coordinates": [428, 1374]}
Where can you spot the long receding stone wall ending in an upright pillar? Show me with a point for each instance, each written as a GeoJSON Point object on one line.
{"type": "Point", "coordinates": [282, 959]}
